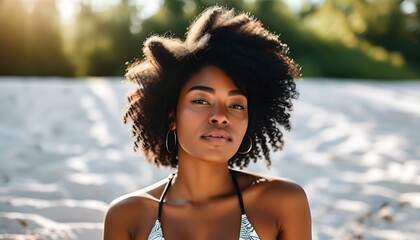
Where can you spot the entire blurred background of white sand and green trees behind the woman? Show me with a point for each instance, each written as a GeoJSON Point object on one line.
{"type": "Point", "coordinates": [65, 153]}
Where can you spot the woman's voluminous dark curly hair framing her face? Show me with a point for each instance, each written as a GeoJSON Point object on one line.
{"type": "Point", "coordinates": [254, 58]}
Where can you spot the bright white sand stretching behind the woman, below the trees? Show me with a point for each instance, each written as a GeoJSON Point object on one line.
{"type": "Point", "coordinates": [65, 154]}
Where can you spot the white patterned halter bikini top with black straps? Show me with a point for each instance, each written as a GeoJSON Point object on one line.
{"type": "Point", "coordinates": [247, 231]}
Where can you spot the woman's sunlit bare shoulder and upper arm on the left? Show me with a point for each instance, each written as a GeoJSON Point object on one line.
{"type": "Point", "coordinates": [128, 213]}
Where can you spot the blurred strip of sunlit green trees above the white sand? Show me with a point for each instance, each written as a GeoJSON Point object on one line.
{"type": "Point", "coordinates": [364, 39]}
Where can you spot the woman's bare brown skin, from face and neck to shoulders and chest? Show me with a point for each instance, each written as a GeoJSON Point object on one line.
{"type": "Point", "coordinates": [211, 121]}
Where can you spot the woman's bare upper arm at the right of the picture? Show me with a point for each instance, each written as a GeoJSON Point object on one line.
{"type": "Point", "coordinates": [294, 215]}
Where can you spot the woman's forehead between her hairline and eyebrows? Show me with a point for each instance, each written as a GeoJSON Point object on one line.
{"type": "Point", "coordinates": [210, 76]}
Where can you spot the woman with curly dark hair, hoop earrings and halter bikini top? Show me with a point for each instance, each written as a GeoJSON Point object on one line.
{"type": "Point", "coordinates": [204, 105]}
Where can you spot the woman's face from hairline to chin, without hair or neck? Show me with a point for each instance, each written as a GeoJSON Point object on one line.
{"type": "Point", "coordinates": [211, 117]}
